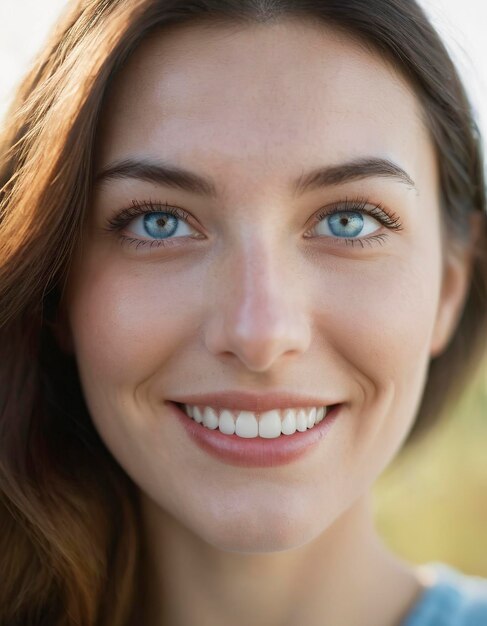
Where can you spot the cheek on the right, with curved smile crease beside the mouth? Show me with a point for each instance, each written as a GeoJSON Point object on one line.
{"type": "Point", "coordinates": [376, 323]}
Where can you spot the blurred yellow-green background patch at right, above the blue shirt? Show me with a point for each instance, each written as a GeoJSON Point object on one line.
{"type": "Point", "coordinates": [431, 502]}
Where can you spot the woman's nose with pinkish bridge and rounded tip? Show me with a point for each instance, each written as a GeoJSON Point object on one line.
{"type": "Point", "coordinates": [259, 311]}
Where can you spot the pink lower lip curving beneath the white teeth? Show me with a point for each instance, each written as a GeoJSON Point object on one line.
{"type": "Point", "coordinates": [256, 452]}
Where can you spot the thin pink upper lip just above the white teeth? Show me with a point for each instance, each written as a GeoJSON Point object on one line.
{"type": "Point", "coordinates": [245, 401]}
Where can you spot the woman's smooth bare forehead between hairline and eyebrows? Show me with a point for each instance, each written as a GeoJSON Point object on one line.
{"type": "Point", "coordinates": [261, 99]}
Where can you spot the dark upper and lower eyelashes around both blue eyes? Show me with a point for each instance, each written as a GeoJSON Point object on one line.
{"type": "Point", "coordinates": [358, 205]}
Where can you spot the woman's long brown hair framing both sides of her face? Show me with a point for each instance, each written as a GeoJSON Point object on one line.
{"type": "Point", "coordinates": [70, 544]}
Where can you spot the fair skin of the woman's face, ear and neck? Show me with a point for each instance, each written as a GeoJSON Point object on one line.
{"type": "Point", "coordinates": [254, 294]}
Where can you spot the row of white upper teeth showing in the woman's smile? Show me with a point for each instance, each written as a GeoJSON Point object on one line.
{"type": "Point", "coordinates": [270, 425]}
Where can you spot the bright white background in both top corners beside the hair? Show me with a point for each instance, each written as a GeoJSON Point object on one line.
{"type": "Point", "coordinates": [463, 23]}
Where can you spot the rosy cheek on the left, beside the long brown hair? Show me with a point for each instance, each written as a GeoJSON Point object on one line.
{"type": "Point", "coordinates": [127, 323]}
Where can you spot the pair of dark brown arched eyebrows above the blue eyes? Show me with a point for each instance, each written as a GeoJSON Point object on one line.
{"type": "Point", "coordinates": [169, 175]}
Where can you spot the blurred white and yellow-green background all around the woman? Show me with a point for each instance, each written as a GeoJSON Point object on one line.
{"type": "Point", "coordinates": [431, 503]}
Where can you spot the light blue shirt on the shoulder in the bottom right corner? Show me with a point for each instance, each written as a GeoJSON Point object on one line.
{"type": "Point", "coordinates": [451, 599]}
